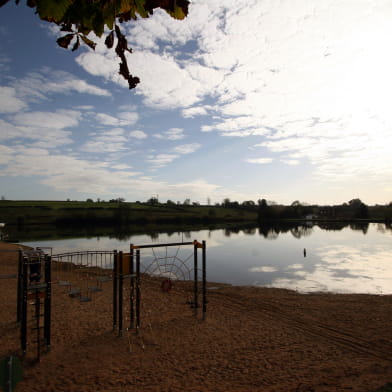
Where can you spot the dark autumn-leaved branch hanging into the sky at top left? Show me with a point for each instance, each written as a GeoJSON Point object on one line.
{"type": "Point", "coordinates": [79, 18]}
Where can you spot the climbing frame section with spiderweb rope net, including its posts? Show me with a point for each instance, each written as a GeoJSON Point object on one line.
{"type": "Point", "coordinates": [169, 265]}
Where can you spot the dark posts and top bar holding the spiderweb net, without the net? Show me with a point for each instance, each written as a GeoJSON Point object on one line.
{"type": "Point", "coordinates": [127, 267]}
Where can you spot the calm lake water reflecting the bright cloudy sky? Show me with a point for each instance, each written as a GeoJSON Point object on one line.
{"type": "Point", "coordinates": [342, 260]}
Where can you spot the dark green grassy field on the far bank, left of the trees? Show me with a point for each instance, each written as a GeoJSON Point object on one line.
{"type": "Point", "coordinates": [23, 213]}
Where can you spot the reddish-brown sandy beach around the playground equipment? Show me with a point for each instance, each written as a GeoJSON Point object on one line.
{"type": "Point", "coordinates": [253, 339]}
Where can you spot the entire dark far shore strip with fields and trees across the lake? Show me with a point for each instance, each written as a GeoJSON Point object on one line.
{"type": "Point", "coordinates": [121, 213]}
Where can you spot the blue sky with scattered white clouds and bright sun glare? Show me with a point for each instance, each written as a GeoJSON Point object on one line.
{"type": "Point", "coordinates": [277, 99]}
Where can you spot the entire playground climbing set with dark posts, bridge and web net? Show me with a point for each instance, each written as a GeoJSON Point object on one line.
{"type": "Point", "coordinates": [83, 273]}
